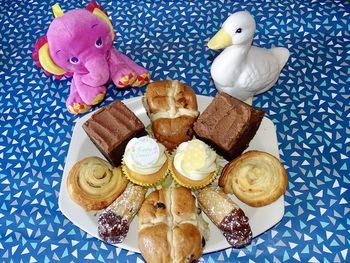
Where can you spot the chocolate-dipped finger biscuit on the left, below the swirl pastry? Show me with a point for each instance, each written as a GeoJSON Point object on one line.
{"type": "Point", "coordinates": [113, 223]}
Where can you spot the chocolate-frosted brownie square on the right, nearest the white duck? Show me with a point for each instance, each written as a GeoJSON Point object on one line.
{"type": "Point", "coordinates": [228, 125]}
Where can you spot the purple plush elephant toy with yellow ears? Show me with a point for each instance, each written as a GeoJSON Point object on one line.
{"type": "Point", "coordinates": [79, 43]}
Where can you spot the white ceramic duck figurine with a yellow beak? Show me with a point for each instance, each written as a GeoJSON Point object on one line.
{"type": "Point", "coordinates": [243, 70]}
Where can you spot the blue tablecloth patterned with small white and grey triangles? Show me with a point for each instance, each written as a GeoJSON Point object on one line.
{"type": "Point", "coordinates": [309, 106]}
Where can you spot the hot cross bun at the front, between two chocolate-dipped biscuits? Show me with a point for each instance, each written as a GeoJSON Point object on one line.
{"type": "Point", "coordinates": [170, 230]}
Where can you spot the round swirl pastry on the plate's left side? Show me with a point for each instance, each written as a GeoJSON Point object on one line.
{"type": "Point", "coordinates": [94, 184]}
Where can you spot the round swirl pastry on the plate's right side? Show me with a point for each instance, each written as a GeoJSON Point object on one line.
{"type": "Point", "coordinates": [256, 178]}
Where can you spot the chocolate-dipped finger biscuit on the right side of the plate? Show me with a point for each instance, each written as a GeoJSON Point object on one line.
{"type": "Point", "coordinates": [226, 215]}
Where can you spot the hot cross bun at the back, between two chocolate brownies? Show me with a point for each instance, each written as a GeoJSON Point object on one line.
{"type": "Point", "coordinates": [172, 108]}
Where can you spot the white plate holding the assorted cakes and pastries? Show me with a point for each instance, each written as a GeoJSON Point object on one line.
{"type": "Point", "coordinates": [260, 219]}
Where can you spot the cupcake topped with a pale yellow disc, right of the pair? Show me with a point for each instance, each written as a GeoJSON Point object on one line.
{"type": "Point", "coordinates": [194, 164]}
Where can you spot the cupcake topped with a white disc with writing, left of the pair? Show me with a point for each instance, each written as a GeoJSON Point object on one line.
{"type": "Point", "coordinates": [145, 161]}
